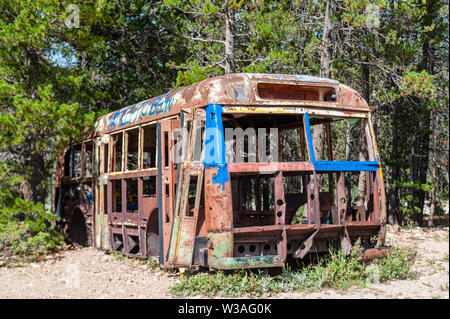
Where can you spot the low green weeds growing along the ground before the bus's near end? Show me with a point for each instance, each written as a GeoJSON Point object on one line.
{"type": "Point", "coordinates": [337, 271]}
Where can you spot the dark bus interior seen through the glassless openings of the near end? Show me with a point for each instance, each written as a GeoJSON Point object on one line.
{"type": "Point", "coordinates": [253, 193]}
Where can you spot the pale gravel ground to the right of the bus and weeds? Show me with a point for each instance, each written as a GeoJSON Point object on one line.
{"type": "Point", "coordinates": [431, 266]}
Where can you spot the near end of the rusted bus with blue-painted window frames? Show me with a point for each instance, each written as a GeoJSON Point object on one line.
{"type": "Point", "coordinates": [262, 186]}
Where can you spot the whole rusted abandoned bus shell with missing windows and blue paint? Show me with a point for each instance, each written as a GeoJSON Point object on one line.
{"type": "Point", "coordinates": [225, 174]}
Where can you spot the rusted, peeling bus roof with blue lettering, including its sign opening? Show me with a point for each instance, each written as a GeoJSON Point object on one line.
{"type": "Point", "coordinates": [242, 89]}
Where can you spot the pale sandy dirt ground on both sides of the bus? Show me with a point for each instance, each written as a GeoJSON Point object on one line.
{"type": "Point", "coordinates": [90, 273]}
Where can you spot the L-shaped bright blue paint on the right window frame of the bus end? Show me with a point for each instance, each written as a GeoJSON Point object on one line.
{"type": "Point", "coordinates": [336, 165]}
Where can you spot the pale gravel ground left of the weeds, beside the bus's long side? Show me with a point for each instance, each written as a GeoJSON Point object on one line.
{"type": "Point", "coordinates": [85, 273]}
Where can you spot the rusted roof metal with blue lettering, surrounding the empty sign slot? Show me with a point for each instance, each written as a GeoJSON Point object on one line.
{"type": "Point", "coordinates": [222, 90]}
